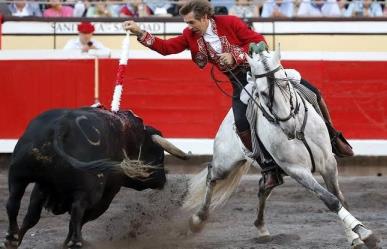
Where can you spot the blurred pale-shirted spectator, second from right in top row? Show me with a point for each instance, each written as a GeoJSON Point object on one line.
{"type": "Point", "coordinates": [315, 8]}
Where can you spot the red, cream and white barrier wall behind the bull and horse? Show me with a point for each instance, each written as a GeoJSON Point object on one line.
{"type": "Point", "coordinates": [345, 59]}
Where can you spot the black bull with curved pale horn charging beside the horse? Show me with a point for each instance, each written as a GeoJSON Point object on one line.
{"type": "Point", "coordinates": [78, 160]}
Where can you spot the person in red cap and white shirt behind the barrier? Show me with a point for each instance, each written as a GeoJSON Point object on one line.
{"type": "Point", "coordinates": [85, 42]}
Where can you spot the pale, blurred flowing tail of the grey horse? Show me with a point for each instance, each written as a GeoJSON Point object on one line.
{"type": "Point", "coordinates": [222, 190]}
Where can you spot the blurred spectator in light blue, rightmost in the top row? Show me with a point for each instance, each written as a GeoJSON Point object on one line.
{"type": "Point", "coordinates": [364, 8]}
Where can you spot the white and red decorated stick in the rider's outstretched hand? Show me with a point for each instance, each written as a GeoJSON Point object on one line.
{"type": "Point", "coordinates": [120, 74]}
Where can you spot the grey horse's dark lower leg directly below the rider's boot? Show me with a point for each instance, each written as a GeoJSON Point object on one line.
{"type": "Point", "coordinates": [263, 195]}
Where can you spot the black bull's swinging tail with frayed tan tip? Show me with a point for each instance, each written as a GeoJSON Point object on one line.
{"type": "Point", "coordinates": [128, 167]}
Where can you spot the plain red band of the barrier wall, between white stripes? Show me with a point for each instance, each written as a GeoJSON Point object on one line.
{"type": "Point", "coordinates": [178, 98]}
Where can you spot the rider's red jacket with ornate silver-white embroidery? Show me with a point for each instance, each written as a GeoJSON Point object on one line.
{"type": "Point", "coordinates": [233, 33]}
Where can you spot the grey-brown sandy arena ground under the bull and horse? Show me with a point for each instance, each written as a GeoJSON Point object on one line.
{"type": "Point", "coordinates": [154, 220]}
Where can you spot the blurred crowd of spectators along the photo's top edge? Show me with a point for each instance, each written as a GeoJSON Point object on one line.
{"type": "Point", "coordinates": [166, 8]}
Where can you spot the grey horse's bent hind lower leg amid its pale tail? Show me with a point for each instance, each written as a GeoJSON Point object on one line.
{"type": "Point", "coordinates": [198, 219]}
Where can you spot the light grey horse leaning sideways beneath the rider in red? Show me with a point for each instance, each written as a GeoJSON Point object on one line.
{"type": "Point", "coordinates": [297, 144]}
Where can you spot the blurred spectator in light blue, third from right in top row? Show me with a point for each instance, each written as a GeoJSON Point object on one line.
{"type": "Point", "coordinates": [278, 8]}
